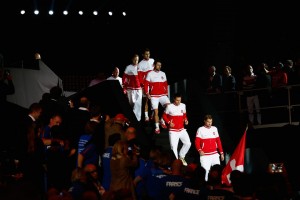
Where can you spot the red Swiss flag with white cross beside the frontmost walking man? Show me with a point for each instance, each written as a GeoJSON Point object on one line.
{"type": "Point", "coordinates": [236, 162]}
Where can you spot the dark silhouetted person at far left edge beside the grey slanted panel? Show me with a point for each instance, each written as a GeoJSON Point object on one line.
{"type": "Point", "coordinates": [6, 85]}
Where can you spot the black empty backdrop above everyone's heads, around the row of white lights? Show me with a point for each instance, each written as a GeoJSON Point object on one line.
{"type": "Point", "coordinates": [186, 35]}
